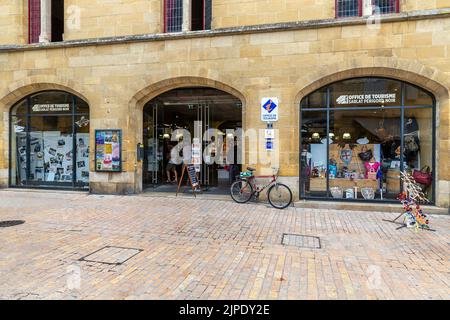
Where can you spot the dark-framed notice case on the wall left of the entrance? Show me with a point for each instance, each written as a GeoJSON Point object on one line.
{"type": "Point", "coordinates": [108, 150]}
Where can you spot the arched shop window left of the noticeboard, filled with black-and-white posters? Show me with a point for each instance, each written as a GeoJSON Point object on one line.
{"type": "Point", "coordinates": [49, 141]}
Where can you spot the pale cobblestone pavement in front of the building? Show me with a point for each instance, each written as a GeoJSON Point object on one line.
{"type": "Point", "coordinates": [198, 249]}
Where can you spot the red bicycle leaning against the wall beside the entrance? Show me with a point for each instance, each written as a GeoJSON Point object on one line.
{"type": "Point", "coordinates": [278, 194]}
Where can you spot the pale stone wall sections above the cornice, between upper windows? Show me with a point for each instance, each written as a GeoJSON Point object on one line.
{"type": "Point", "coordinates": [120, 17]}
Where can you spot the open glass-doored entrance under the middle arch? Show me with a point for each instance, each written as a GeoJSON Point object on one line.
{"type": "Point", "coordinates": [213, 116]}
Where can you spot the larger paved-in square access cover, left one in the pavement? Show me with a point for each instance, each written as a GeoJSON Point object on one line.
{"type": "Point", "coordinates": [112, 255]}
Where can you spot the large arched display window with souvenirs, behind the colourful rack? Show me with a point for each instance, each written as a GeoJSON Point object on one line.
{"type": "Point", "coordinates": [358, 134]}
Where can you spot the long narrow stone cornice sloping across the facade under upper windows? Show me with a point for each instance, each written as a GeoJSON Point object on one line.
{"type": "Point", "coordinates": [275, 27]}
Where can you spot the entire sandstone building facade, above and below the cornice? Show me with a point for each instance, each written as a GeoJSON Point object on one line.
{"type": "Point", "coordinates": [117, 57]}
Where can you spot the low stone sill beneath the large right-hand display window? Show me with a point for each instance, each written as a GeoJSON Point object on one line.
{"type": "Point", "coordinates": [370, 206]}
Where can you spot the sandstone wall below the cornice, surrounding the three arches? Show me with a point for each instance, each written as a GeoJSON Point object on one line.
{"type": "Point", "coordinates": [117, 79]}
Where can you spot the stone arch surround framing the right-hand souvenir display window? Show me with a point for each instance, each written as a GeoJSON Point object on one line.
{"type": "Point", "coordinates": [430, 79]}
